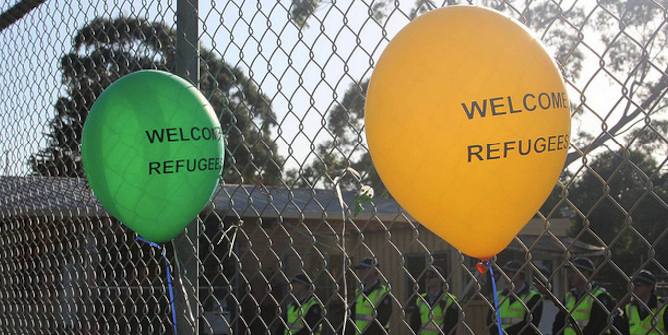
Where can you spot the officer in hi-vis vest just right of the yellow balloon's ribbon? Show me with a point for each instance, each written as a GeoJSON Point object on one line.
{"type": "Point", "coordinates": [520, 305]}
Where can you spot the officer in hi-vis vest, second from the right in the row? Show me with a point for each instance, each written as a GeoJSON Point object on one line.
{"type": "Point", "coordinates": [588, 303]}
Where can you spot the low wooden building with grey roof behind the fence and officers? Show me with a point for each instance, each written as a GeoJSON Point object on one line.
{"type": "Point", "coordinates": [73, 266]}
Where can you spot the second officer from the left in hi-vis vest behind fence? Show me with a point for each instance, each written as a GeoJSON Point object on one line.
{"type": "Point", "coordinates": [372, 307]}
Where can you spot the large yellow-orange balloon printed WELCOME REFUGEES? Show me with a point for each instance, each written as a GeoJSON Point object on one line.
{"type": "Point", "coordinates": [468, 124]}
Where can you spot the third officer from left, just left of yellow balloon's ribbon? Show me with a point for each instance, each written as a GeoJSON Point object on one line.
{"type": "Point", "coordinates": [437, 309]}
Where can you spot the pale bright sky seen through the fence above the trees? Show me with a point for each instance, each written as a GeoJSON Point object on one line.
{"type": "Point", "coordinates": [305, 72]}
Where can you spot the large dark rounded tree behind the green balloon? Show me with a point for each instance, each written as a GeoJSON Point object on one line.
{"type": "Point", "coordinates": [106, 50]}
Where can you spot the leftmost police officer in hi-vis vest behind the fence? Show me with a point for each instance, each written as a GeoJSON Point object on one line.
{"type": "Point", "coordinates": [304, 315]}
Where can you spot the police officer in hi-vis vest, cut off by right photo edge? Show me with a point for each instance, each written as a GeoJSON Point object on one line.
{"type": "Point", "coordinates": [646, 308]}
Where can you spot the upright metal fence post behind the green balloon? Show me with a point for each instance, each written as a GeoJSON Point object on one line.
{"type": "Point", "coordinates": [186, 245]}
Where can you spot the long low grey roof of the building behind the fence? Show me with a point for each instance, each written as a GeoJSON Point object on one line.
{"type": "Point", "coordinates": [71, 197]}
